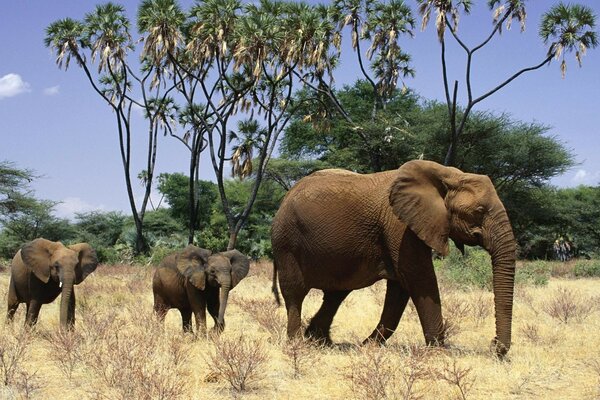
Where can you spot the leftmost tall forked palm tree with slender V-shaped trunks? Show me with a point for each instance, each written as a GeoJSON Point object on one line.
{"type": "Point", "coordinates": [103, 38]}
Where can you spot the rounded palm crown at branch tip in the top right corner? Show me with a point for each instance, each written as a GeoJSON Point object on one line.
{"type": "Point", "coordinates": [568, 28]}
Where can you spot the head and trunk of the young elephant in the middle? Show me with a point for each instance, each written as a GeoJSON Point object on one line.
{"type": "Point", "coordinates": [226, 270]}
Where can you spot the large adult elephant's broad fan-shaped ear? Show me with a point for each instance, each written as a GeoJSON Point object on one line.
{"type": "Point", "coordinates": [417, 197]}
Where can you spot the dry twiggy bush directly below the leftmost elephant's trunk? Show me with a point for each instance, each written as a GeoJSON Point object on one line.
{"type": "Point", "coordinates": [65, 349]}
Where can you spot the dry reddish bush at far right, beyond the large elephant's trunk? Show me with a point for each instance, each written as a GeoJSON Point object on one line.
{"type": "Point", "coordinates": [567, 305]}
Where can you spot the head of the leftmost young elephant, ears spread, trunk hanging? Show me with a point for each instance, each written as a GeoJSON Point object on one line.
{"type": "Point", "coordinates": [67, 265]}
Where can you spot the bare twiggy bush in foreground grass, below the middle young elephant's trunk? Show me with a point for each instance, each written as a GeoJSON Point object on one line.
{"type": "Point", "coordinates": [241, 361]}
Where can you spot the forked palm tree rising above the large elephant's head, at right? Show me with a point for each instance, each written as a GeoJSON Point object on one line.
{"type": "Point", "coordinates": [564, 28]}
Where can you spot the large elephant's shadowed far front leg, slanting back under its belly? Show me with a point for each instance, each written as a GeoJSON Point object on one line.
{"type": "Point", "coordinates": [396, 298]}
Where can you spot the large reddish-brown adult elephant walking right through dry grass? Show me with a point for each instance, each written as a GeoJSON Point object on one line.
{"type": "Point", "coordinates": [338, 231]}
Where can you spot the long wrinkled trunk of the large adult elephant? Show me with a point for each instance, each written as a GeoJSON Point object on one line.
{"type": "Point", "coordinates": [502, 249]}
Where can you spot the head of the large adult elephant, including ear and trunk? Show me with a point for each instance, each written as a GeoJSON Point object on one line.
{"type": "Point", "coordinates": [438, 203]}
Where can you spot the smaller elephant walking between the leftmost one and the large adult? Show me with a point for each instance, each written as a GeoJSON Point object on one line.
{"type": "Point", "coordinates": [190, 281]}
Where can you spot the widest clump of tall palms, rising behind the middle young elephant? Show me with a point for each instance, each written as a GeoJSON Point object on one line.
{"type": "Point", "coordinates": [232, 65]}
